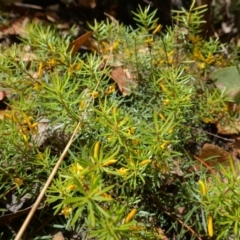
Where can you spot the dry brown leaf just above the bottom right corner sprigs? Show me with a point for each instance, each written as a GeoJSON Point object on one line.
{"type": "Point", "coordinates": [213, 155]}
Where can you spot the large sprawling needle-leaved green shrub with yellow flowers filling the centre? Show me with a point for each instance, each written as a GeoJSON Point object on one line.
{"type": "Point", "coordinates": [127, 174]}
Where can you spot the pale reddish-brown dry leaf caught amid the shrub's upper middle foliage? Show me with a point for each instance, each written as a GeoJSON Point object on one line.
{"type": "Point", "coordinates": [123, 79]}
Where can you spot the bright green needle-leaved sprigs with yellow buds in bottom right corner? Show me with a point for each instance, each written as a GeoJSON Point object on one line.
{"type": "Point", "coordinates": [222, 202]}
